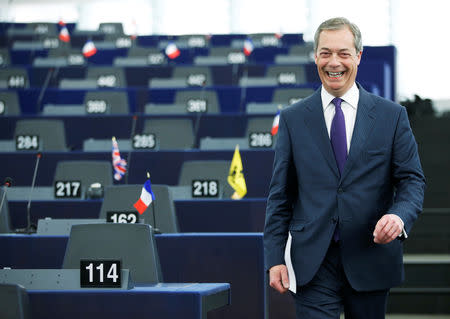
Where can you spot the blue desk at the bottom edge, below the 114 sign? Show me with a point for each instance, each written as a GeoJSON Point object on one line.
{"type": "Point", "coordinates": [162, 301]}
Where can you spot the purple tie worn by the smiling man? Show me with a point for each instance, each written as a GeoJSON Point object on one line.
{"type": "Point", "coordinates": [339, 143]}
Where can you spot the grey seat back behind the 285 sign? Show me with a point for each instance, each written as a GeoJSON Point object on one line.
{"type": "Point", "coordinates": [171, 133]}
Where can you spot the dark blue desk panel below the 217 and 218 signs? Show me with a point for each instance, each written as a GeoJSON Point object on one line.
{"type": "Point", "coordinates": [208, 215]}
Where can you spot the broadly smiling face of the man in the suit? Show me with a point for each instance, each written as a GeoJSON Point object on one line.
{"type": "Point", "coordinates": [337, 60]}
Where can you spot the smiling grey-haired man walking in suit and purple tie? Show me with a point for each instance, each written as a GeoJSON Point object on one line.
{"type": "Point", "coordinates": [347, 185]}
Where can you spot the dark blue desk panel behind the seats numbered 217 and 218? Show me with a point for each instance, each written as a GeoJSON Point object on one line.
{"type": "Point", "coordinates": [164, 166]}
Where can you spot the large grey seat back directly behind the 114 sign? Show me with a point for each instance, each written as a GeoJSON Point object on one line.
{"type": "Point", "coordinates": [133, 244]}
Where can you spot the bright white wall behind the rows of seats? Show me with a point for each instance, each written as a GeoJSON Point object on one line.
{"type": "Point", "coordinates": [419, 29]}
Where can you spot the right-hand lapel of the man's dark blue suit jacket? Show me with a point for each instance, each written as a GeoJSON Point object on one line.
{"type": "Point", "coordinates": [365, 119]}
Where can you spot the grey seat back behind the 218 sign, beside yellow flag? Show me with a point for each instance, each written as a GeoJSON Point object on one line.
{"type": "Point", "coordinates": [207, 170]}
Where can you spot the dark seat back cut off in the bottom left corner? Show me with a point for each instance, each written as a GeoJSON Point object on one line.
{"type": "Point", "coordinates": [15, 302]}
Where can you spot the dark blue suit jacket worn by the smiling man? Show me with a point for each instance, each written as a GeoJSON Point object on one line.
{"type": "Point", "coordinates": [382, 175]}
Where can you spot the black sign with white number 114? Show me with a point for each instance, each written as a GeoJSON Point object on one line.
{"type": "Point", "coordinates": [100, 273]}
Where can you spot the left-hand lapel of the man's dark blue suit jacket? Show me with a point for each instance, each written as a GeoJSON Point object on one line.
{"type": "Point", "coordinates": [315, 121]}
